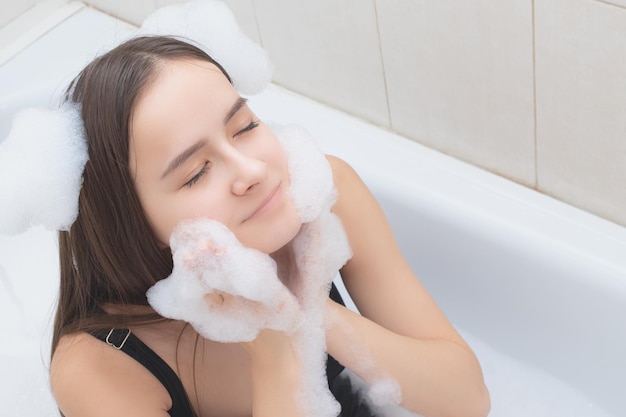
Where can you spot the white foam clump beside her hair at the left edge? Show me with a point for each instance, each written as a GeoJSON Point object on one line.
{"type": "Point", "coordinates": [41, 165]}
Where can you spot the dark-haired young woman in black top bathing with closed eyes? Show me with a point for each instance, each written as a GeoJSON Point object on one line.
{"type": "Point", "coordinates": [169, 138]}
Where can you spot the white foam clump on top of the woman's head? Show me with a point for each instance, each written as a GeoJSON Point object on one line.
{"type": "Point", "coordinates": [212, 26]}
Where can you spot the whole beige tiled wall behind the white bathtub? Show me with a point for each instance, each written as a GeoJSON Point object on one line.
{"type": "Point", "coordinates": [533, 90]}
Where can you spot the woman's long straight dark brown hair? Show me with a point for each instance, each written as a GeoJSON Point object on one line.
{"type": "Point", "coordinates": [111, 254]}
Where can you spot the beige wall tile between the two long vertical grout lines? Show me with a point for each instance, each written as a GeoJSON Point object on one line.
{"type": "Point", "coordinates": [460, 79]}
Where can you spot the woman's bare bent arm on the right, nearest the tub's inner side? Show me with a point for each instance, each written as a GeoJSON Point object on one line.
{"type": "Point", "coordinates": [401, 330]}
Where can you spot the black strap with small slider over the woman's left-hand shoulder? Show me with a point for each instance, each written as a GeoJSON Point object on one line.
{"type": "Point", "coordinates": [124, 340]}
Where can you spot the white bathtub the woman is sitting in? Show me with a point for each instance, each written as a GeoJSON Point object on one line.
{"type": "Point", "coordinates": [538, 287]}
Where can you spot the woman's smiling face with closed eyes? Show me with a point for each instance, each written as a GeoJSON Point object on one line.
{"type": "Point", "coordinates": [197, 150]}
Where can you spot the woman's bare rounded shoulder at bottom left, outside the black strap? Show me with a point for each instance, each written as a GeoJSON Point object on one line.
{"type": "Point", "coordinates": [91, 378]}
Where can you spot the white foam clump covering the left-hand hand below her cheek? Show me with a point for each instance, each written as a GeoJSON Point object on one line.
{"type": "Point", "coordinates": [209, 260]}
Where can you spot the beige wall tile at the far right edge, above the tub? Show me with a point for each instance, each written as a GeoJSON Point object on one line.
{"type": "Point", "coordinates": [581, 104]}
